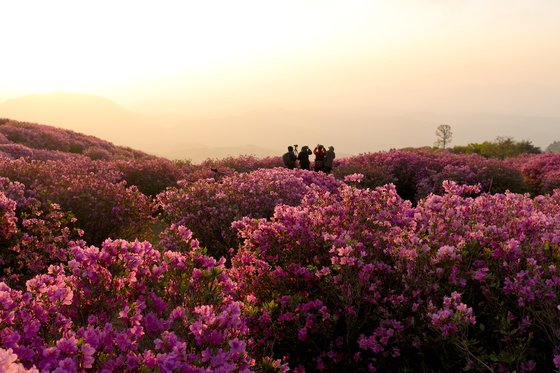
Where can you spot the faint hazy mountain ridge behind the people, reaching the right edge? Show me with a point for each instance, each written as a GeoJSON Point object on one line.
{"type": "Point", "coordinates": [353, 132]}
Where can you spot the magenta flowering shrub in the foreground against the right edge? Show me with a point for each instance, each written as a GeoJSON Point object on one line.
{"type": "Point", "coordinates": [502, 252]}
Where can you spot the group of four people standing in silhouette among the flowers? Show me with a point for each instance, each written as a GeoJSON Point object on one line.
{"type": "Point", "coordinates": [323, 158]}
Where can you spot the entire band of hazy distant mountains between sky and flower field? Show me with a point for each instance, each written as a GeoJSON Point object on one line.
{"type": "Point", "coordinates": [269, 132]}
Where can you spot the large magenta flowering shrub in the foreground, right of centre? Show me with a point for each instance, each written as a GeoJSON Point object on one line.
{"type": "Point", "coordinates": [316, 279]}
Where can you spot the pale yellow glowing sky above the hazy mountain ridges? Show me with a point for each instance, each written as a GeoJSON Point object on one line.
{"type": "Point", "coordinates": [140, 49]}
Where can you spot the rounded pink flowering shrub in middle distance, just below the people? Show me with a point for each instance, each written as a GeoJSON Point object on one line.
{"type": "Point", "coordinates": [208, 207]}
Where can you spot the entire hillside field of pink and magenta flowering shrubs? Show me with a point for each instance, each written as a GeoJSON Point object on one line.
{"type": "Point", "coordinates": [401, 261]}
